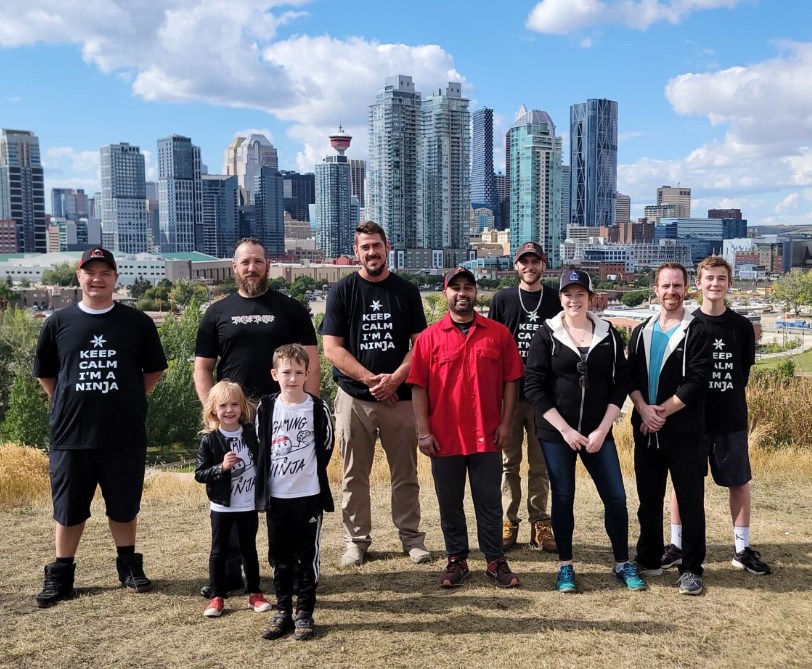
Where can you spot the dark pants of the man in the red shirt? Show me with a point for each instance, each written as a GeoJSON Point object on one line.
{"type": "Point", "coordinates": [484, 472]}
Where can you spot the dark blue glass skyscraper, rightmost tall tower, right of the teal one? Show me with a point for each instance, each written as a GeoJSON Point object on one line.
{"type": "Point", "coordinates": [593, 162]}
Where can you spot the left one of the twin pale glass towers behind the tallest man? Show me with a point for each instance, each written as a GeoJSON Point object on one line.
{"type": "Point", "coordinates": [394, 127]}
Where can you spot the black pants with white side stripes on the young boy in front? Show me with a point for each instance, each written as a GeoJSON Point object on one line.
{"type": "Point", "coordinates": [294, 533]}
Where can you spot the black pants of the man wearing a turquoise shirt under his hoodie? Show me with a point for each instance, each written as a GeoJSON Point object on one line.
{"type": "Point", "coordinates": [685, 461]}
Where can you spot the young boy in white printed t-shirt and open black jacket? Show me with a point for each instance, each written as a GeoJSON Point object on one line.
{"type": "Point", "coordinates": [295, 444]}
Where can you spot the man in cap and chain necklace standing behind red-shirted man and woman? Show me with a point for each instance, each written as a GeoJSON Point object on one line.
{"type": "Point", "coordinates": [523, 310]}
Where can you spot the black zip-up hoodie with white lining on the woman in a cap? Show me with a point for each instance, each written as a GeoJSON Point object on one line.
{"type": "Point", "coordinates": [552, 378]}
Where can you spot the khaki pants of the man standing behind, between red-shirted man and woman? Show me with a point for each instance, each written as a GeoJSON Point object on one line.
{"type": "Point", "coordinates": [538, 484]}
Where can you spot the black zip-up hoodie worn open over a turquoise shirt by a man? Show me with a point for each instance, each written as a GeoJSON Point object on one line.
{"type": "Point", "coordinates": [685, 371]}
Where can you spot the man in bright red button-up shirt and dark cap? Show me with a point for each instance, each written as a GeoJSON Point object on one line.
{"type": "Point", "coordinates": [464, 376]}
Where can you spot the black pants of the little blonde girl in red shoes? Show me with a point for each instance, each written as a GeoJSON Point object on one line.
{"type": "Point", "coordinates": [222, 525]}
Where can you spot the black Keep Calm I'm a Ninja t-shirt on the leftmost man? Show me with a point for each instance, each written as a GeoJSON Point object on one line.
{"type": "Point", "coordinates": [99, 362]}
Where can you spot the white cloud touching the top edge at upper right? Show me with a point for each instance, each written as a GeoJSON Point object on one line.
{"type": "Point", "coordinates": [562, 17]}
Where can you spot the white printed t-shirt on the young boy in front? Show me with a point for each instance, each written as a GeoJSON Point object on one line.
{"type": "Point", "coordinates": [294, 471]}
